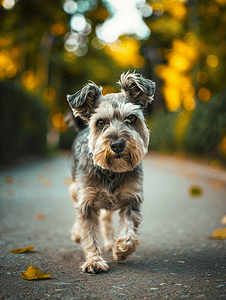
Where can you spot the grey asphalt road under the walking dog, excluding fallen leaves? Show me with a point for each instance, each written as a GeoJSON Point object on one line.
{"type": "Point", "coordinates": [176, 259]}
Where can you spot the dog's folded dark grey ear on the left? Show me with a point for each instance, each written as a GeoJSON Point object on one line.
{"type": "Point", "coordinates": [83, 102]}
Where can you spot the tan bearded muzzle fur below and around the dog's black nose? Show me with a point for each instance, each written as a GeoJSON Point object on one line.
{"type": "Point", "coordinates": [104, 157]}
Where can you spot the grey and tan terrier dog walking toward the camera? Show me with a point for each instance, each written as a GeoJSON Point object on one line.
{"type": "Point", "coordinates": [107, 167]}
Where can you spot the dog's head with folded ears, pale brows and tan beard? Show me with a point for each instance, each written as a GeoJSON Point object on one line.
{"type": "Point", "coordinates": [119, 137]}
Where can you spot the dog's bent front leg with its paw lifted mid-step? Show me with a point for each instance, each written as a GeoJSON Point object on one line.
{"type": "Point", "coordinates": [127, 241]}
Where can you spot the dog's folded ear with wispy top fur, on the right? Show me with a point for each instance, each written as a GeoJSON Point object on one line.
{"type": "Point", "coordinates": [139, 89]}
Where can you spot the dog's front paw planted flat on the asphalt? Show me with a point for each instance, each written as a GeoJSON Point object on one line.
{"type": "Point", "coordinates": [95, 265]}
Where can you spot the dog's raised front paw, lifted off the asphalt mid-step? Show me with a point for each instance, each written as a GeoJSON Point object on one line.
{"type": "Point", "coordinates": [124, 247]}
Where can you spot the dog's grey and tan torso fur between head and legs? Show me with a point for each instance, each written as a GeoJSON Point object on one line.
{"type": "Point", "coordinates": [107, 189]}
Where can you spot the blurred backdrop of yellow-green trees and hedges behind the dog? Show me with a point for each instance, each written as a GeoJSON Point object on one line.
{"type": "Point", "coordinates": [51, 48]}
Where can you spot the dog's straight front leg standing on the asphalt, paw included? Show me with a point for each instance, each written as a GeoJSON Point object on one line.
{"type": "Point", "coordinates": [89, 222]}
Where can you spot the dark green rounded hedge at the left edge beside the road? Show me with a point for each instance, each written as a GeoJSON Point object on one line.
{"type": "Point", "coordinates": [22, 123]}
